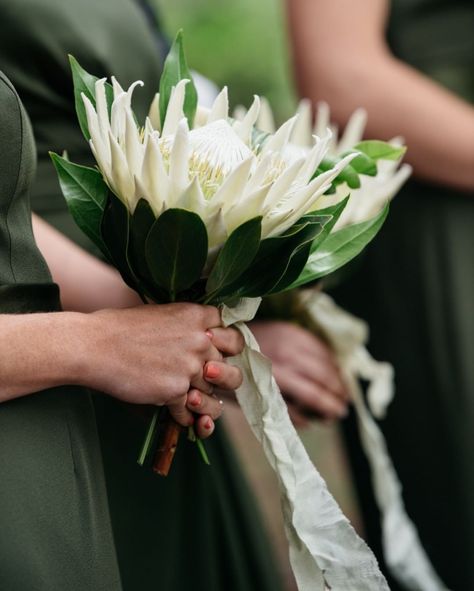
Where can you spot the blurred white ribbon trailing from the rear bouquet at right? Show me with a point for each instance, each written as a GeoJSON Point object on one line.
{"type": "Point", "coordinates": [347, 336]}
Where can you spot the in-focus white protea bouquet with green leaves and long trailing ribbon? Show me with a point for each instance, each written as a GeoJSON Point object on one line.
{"type": "Point", "coordinates": [192, 205]}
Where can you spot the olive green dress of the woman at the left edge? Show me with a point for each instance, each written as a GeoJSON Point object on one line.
{"type": "Point", "coordinates": [54, 521]}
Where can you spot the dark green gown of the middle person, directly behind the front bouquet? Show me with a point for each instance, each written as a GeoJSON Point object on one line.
{"type": "Point", "coordinates": [199, 527]}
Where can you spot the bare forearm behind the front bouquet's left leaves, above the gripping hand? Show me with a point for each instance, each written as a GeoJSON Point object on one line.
{"type": "Point", "coordinates": [86, 283]}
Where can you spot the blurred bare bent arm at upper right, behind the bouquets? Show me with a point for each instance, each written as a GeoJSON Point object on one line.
{"type": "Point", "coordinates": [341, 57]}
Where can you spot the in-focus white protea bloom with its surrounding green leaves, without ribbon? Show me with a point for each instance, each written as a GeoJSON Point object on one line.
{"type": "Point", "coordinates": [194, 206]}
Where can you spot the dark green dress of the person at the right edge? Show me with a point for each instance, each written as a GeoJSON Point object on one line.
{"type": "Point", "coordinates": [415, 287]}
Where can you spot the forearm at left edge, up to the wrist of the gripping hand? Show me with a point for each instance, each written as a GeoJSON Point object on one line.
{"type": "Point", "coordinates": [39, 351]}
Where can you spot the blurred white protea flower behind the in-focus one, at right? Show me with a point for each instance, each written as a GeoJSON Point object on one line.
{"type": "Point", "coordinates": [374, 191]}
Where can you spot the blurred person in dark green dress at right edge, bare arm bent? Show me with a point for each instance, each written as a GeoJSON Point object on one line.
{"type": "Point", "coordinates": [410, 63]}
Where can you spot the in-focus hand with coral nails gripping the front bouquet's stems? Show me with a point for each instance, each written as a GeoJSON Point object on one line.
{"type": "Point", "coordinates": [168, 354]}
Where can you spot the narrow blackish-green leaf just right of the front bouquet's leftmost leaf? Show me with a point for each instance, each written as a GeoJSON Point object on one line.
{"type": "Point", "coordinates": [115, 230]}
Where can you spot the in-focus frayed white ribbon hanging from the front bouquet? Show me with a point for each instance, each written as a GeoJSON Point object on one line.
{"type": "Point", "coordinates": [325, 551]}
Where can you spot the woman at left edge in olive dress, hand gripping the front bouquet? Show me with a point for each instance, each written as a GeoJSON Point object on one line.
{"type": "Point", "coordinates": [54, 513]}
